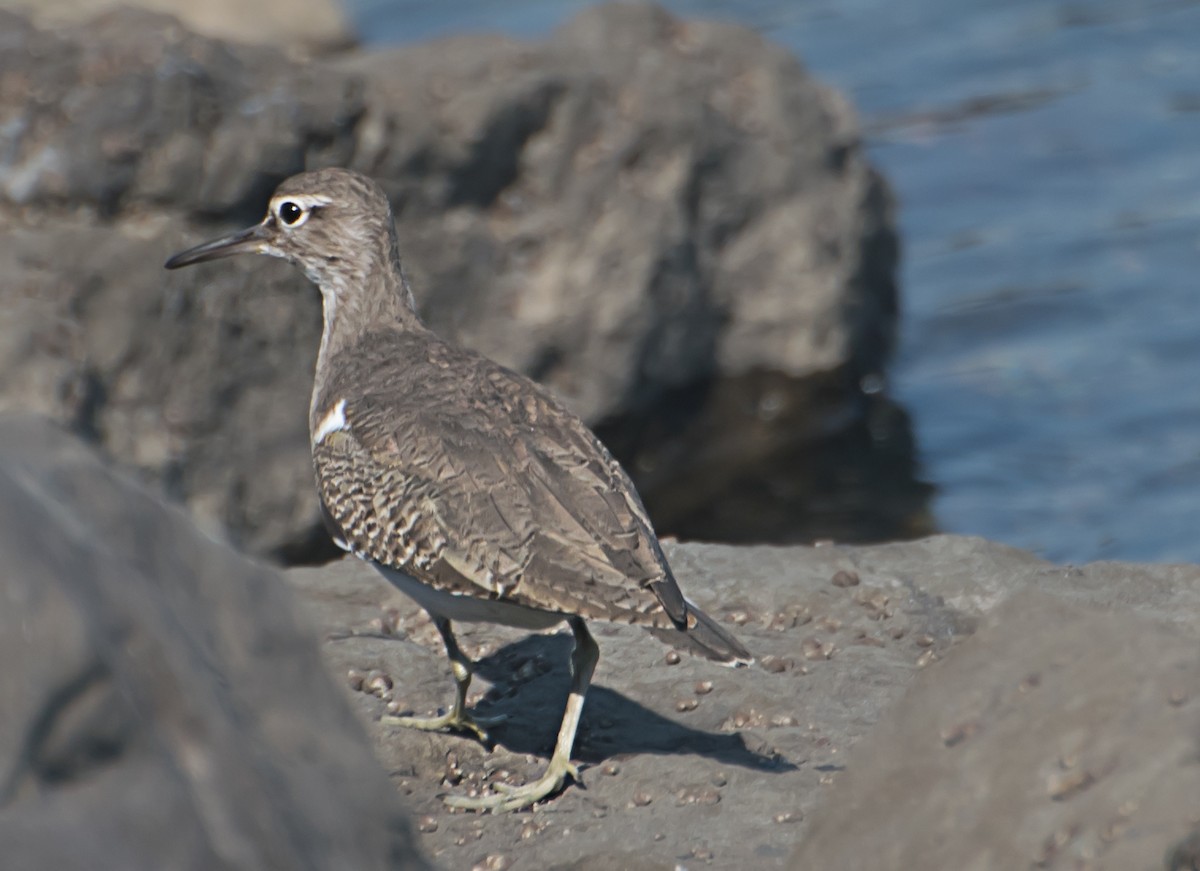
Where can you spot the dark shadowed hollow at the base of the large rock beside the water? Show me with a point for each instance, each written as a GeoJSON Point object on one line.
{"type": "Point", "coordinates": [765, 458]}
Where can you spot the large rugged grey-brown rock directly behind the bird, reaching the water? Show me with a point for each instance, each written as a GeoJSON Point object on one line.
{"type": "Point", "coordinates": [671, 224]}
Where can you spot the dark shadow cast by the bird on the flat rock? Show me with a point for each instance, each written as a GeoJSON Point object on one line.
{"type": "Point", "coordinates": [531, 678]}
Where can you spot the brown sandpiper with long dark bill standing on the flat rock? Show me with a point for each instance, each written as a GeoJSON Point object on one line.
{"type": "Point", "coordinates": [469, 486]}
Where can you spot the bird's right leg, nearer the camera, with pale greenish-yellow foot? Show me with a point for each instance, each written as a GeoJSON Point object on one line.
{"type": "Point", "coordinates": [512, 798]}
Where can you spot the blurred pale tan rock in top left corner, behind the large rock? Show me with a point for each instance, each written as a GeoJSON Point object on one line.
{"type": "Point", "coordinates": [297, 26]}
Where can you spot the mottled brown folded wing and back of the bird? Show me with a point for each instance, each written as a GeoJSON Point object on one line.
{"type": "Point", "coordinates": [487, 486]}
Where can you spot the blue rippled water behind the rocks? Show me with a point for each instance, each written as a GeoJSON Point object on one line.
{"type": "Point", "coordinates": [1047, 159]}
